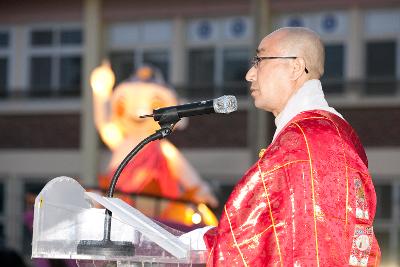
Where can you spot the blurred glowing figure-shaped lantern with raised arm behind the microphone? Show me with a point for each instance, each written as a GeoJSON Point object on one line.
{"type": "Point", "coordinates": [159, 168]}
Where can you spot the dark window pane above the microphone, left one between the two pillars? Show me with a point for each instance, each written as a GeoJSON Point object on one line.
{"type": "Point", "coordinates": [201, 71]}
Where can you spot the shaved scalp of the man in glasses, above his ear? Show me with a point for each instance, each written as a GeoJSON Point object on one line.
{"type": "Point", "coordinates": [302, 42]}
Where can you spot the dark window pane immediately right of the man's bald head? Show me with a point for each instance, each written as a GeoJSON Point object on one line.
{"type": "Point", "coordinates": [333, 75]}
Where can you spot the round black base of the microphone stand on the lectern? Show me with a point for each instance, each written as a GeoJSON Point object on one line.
{"type": "Point", "coordinates": [106, 248]}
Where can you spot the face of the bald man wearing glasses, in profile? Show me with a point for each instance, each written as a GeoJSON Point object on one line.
{"type": "Point", "coordinates": [270, 78]}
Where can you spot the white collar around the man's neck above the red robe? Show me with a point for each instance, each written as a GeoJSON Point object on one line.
{"type": "Point", "coordinates": [309, 97]}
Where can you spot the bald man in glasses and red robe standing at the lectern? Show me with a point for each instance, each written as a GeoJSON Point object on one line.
{"type": "Point", "coordinates": [308, 200]}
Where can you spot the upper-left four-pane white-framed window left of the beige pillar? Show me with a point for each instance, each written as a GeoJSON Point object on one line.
{"type": "Point", "coordinates": [55, 61]}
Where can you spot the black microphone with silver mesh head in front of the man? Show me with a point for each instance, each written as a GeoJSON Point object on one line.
{"type": "Point", "coordinates": [224, 104]}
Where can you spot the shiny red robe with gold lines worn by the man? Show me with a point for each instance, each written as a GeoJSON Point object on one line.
{"type": "Point", "coordinates": [308, 201]}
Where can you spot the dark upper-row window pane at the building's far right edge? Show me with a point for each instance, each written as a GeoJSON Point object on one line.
{"type": "Point", "coordinates": [381, 67]}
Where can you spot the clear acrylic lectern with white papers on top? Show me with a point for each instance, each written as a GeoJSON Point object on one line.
{"type": "Point", "coordinates": [65, 215]}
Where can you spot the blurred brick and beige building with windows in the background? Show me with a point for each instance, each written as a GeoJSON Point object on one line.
{"type": "Point", "coordinates": [48, 49]}
